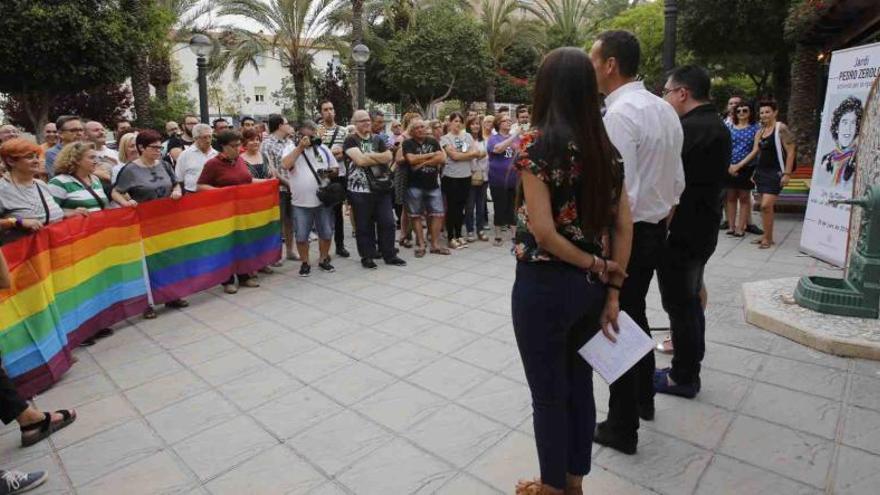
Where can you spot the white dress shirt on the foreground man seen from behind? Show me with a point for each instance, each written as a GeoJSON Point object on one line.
{"type": "Point", "coordinates": [647, 132]}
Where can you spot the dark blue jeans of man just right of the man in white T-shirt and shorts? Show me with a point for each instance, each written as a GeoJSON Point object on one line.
{"type": "Point", "coordinates": [373, 213]}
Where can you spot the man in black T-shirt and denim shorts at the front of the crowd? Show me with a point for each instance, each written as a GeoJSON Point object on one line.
{"type": "Point", "coordinates": [423, 197]}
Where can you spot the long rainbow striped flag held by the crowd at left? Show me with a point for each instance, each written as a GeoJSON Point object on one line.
{"type": "Point", "coordinates": [83, 274]}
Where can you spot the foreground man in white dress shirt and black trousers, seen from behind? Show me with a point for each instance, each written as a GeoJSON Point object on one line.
{"type": "Point", "coordinates": [647, 132]}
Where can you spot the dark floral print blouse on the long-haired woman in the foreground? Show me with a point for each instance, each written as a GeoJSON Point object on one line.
{"type": "Point", "coordinates": [564, 183]}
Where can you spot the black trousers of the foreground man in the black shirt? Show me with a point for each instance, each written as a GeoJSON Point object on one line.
{"type": "Point", "coordinates": [680, 280]}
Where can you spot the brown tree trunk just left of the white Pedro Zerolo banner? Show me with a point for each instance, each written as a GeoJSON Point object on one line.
{"type": "Point", "coordinates": [804, 105]}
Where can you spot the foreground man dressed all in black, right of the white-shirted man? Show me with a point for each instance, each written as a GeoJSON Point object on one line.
{"type": "Point", "coordinates": [693, 232]}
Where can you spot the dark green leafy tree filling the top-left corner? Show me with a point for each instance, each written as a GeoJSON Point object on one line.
{"type": "Point", "coordinates": [62, 47]}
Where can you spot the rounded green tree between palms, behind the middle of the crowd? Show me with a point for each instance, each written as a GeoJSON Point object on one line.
{"type": "Point", "coordinates": [444, 58]}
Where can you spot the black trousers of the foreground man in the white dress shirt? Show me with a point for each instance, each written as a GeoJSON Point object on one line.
{"type": "Point", "coordinates": [636, 386]}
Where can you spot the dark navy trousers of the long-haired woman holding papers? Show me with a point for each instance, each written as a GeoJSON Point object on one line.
{"type": "Point", "coordinates": [555, 310]}
